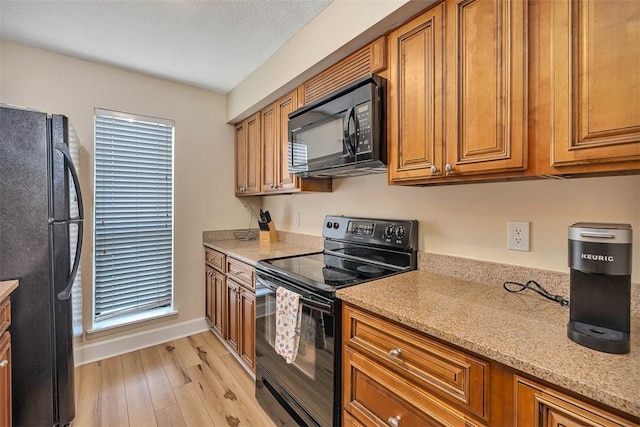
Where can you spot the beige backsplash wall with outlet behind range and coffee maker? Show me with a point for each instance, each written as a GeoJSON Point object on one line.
{"type": "Point", "coordinates": [470, 220]}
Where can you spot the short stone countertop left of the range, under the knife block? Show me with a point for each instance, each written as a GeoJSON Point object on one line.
{"type": "Point", "coordinates": [253, 251]}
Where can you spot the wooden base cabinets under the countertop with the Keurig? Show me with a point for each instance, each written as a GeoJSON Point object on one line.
{"type": "Point", "coordinates": [396, 376]}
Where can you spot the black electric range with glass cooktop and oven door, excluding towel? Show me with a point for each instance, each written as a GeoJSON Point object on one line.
{"type": "Point", "coordinates": [356, 250]}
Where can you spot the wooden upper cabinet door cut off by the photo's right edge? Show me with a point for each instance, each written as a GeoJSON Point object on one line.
{"type": "Point", "coordinates": [595, 81]}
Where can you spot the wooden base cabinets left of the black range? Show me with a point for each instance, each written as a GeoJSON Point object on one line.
{"type": "Point", "coordinates": [230, 304]}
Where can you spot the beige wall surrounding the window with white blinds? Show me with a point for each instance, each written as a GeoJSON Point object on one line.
{"type": "Point", "coordinates": [204, 177]}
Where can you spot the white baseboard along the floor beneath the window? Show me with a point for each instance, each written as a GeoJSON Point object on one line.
{"type": "Point", "coordinates": [91, 352]}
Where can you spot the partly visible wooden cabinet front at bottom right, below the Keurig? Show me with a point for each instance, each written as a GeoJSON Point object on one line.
{"type": "Point", "coordinates": [537, 405]}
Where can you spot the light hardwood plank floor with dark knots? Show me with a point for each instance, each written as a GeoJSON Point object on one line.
{"type": "Point", "coordinates": [191, 381]}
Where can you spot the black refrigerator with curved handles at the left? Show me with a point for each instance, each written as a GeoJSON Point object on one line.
{"type": "Point", "coordinates": [41, 218]}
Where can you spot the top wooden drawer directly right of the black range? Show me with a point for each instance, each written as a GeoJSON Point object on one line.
{"type": "Point", "coordinates": [441, 370]}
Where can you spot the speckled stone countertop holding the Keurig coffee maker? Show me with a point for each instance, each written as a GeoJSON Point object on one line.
{"type": "Point", "coordinates": [524, 331]}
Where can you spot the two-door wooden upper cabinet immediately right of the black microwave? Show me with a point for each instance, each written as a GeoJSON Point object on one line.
{"type": "Point", "coordinates": [457, 98]}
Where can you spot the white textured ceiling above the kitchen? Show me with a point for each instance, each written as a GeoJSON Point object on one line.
{"type": "Point", "coordinates": [212, 44]}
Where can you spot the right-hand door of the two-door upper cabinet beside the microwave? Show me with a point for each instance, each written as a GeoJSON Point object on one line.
{"type": "Point", "coordinates": [486, 102]}
